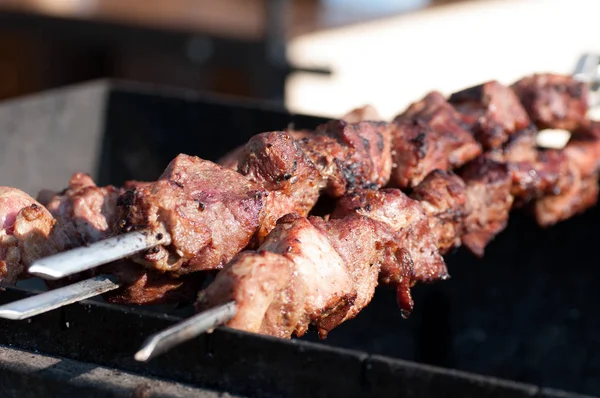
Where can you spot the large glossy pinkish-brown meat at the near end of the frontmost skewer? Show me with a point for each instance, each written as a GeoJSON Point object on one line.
{"type": "Point", "coordinates": [307, 272]}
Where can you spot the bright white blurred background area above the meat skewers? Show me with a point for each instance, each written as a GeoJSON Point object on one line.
{"type": "Point", "coordinates": [394, 61]}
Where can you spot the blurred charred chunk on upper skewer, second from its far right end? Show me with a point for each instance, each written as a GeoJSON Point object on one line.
{"type": "Point", "coordinates": [491, 111]}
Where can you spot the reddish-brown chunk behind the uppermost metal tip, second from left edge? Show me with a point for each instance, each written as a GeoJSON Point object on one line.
{"type": "Point", "coordinates": [85, 212]}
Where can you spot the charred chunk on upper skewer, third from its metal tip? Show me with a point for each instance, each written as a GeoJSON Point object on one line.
{"type": "Point", "coordinates": [351, 156]}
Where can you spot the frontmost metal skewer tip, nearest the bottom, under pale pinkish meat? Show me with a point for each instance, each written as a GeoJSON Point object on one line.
{"type": "Point", "coordinates": [186, 330]}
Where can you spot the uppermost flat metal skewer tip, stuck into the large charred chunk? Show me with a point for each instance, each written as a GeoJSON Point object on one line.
{"type": "Point", "coordinates": [83, 258]}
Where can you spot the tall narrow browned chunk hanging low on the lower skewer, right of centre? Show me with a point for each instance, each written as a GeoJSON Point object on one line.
{"type": "Point", "coordinates": [489, 200]}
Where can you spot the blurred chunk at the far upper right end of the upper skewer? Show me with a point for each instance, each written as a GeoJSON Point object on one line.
{"type": "Point", "coordinates": [553, 101]}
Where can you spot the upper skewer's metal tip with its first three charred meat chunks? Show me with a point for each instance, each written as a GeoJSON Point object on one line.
{"type": "Point", "coordinates": [198, 215]}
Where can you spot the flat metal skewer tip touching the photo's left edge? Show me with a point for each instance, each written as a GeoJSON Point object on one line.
{"type": "Point", "coordinates": [44, 302]}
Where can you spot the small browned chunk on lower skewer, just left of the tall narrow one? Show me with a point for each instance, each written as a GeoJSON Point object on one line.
{"type": "Point", "coordinates": [443, 196]}
